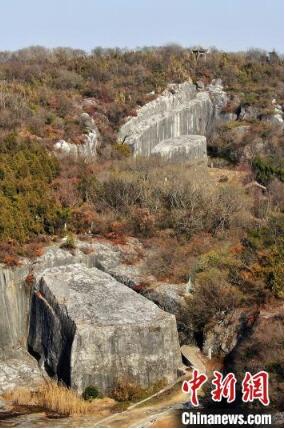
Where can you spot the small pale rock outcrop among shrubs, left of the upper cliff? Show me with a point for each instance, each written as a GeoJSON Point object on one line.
{"type": "Point", "coordinates": [86, 150]}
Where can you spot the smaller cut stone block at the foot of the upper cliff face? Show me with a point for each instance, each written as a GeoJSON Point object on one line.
{"type": "Point", "coordinates": [191, 148]}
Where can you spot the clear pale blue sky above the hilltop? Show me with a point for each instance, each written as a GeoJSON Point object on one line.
{"type": "Point", "coordinates": [230, 25]}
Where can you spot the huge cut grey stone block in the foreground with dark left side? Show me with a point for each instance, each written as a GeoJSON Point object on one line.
{"type": "Point", "coordinates": [88, 329]}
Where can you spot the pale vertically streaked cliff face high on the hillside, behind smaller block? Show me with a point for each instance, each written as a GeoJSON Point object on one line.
{"type": "Point", "coordinates": [180, 111]}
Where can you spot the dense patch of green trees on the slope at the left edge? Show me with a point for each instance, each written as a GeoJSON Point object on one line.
{"type": "Point", "coordinates": [27, 205]}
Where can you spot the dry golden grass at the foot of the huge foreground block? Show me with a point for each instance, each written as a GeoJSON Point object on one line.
{"type": "Point", "coordinates": [58, 399]}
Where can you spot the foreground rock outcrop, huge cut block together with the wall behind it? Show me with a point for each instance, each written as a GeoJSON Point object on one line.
{"type": "Point", "coordinates": [74, 303]}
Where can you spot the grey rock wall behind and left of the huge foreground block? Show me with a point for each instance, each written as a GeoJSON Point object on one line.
{"type": "Point", "coordinates": [15, 294]}
